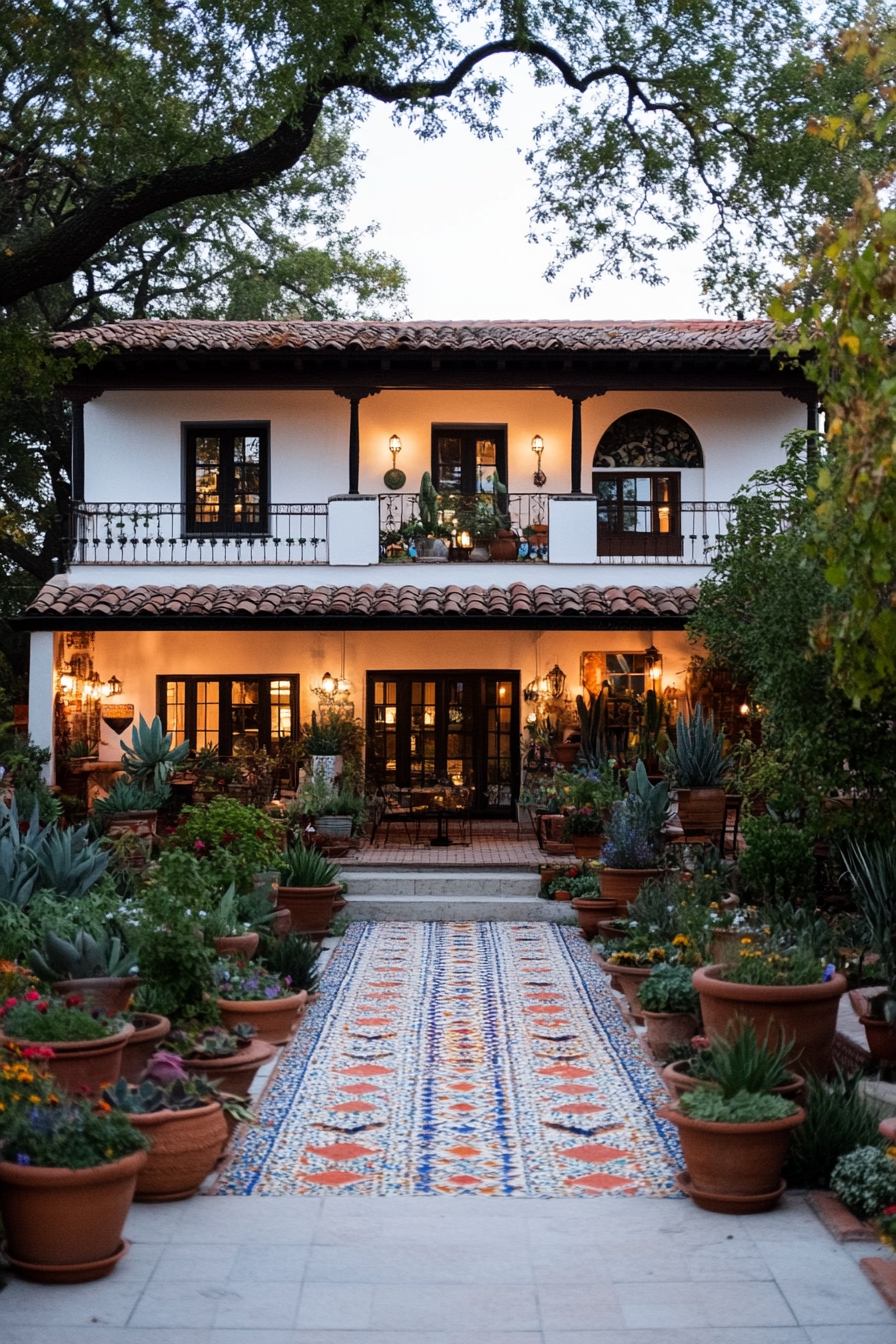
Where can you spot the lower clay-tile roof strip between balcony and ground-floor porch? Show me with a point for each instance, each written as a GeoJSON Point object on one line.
{"type": "Point", "coordinates": [389, 607]}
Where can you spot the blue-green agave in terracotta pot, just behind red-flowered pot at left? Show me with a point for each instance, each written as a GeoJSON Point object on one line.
{"type": "Point", "coordinates": [96, 970]}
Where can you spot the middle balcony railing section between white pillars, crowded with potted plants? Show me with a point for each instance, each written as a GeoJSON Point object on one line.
{"type": "Point", "coordinates": [401, 528]}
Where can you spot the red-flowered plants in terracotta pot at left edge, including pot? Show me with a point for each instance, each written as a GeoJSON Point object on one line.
{"type": "Point", "coordinates": [87, 1048]}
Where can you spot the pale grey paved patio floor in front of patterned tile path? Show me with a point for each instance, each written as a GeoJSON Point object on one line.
{"type": "Point", "coordinates": [359, 1271]}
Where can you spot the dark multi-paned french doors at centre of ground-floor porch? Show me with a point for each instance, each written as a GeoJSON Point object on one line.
{"type": "Point", "coordinates": [459, 728]}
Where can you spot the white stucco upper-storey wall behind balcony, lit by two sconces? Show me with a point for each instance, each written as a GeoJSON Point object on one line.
{"type": "Point", "coordinates": [134, 442]}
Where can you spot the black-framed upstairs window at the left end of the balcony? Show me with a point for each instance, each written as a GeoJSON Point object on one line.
{"type": "Point", "coordinates": [228, 474]}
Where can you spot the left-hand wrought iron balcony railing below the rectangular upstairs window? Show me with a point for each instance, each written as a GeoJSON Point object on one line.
{"type": "Point", "coordinates": [162, 534]}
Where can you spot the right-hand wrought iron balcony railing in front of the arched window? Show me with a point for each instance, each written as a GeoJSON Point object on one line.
{"type": "Point", "coordinates": [660, 534]}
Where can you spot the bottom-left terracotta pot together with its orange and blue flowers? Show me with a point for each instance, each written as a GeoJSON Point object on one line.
{"type": "Point", "coordinates": [68, 1178]}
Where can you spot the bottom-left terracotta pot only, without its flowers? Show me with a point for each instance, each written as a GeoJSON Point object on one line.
{"type": "Point", "coordinates": [65, 1226]}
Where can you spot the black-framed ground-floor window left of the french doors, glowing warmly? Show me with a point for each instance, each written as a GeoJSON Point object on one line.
{"type": "Point", "coordinates": [225, 712]}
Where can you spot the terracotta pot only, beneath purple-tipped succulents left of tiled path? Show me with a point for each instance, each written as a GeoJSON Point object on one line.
{"type": "Point", "coordinates": [186, 1146]}
